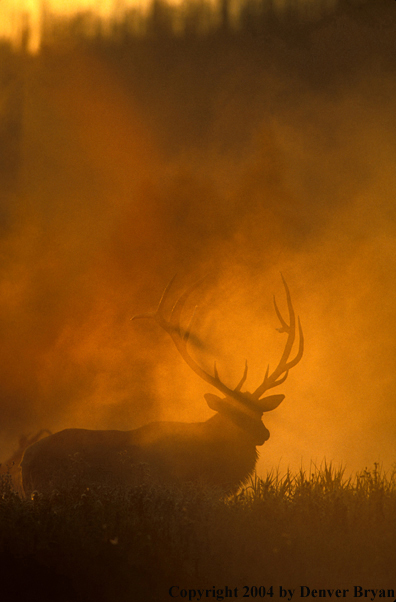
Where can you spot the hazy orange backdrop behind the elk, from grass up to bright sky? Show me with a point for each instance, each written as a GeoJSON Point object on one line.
{"type": "Point", "coordinates": [236, 152]}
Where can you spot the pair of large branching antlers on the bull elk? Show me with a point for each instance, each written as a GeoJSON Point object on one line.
{"type": "Point", "coordinates": [180, 338]}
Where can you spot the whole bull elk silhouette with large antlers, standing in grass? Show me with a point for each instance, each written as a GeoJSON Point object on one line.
{"type": "Point", "coordinates": [220, 452]}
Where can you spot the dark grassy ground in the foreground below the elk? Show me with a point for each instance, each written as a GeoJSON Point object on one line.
{"type": "Point", "coordinates": [318, 529]}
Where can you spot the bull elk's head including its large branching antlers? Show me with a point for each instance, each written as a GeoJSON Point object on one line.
{"type": "Point", "coordinates": [242, 408]}
